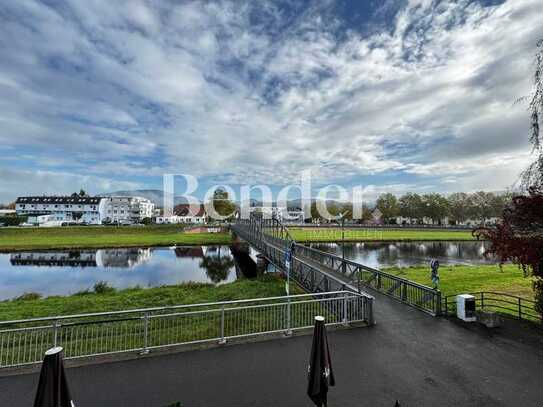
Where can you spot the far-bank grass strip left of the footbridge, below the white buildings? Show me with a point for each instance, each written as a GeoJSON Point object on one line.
{"type": "Point", "coordinates": [100, 236]}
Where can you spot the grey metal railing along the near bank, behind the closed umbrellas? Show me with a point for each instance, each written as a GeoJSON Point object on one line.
{"type": "Point", "coordinates": [25, 341]}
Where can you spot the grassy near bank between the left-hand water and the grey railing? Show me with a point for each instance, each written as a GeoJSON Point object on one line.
{"type": "Point", "coordinates": [109, 299]}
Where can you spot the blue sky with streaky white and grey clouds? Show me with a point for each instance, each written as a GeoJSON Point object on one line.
{"type": "Point", "coordinates": [394, 95]}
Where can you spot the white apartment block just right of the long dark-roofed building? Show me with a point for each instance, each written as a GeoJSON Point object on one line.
{"type": "Point", "coordinates": [125, 209]}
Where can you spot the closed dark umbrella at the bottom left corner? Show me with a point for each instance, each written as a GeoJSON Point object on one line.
{"type": "Point", "coordinates": [53, 388]}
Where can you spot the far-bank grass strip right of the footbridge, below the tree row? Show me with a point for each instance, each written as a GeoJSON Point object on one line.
{"type": "Point", "coordinates": [359, 234]}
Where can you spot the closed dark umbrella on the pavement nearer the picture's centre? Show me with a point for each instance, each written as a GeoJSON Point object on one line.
{"type": "Point", "coordinates": [320, 371]}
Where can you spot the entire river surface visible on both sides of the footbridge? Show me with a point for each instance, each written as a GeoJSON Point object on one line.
{"type": "Point", "coordinates": [69, 271]}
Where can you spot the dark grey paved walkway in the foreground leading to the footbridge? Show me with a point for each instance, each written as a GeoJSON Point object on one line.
{"type": "Point", "coordinates": [408, 355]}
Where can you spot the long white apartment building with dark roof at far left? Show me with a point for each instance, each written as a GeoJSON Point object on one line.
{"type": "Point", "coordinates": [73, 208]}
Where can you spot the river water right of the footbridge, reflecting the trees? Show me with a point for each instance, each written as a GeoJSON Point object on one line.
{"type": "Point", "coordinates": [404, 254]}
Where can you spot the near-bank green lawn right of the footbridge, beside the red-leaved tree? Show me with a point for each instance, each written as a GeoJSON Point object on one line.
{"type": "Point", "coordinates": [466, 279]}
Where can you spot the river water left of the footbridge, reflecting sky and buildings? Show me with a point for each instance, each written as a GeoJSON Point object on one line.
{"type": "Point", "coordinates": [70, 271]}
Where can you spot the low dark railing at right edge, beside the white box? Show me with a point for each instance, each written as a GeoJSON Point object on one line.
{"type": "Point", "coordinates": [506, 304]}
